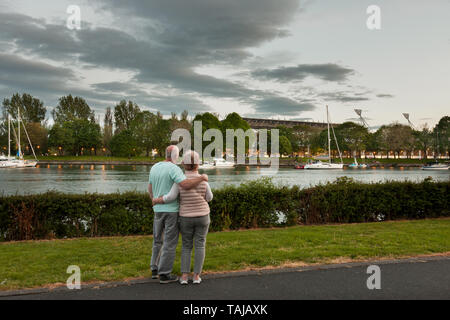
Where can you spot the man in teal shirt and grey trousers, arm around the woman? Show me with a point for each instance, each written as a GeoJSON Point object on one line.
{"type": "Point", "coordinates": [165, 224]}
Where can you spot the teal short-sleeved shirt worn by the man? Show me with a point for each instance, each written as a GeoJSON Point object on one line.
{"type": "Point", "coordinates": [162, 176]}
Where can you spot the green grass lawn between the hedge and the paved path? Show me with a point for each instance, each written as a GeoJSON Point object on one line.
{"type": "Point", "coordinates": [38, 263]}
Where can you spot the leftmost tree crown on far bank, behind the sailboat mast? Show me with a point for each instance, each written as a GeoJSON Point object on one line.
{"type": "Point", "coordinates": [31, 109]}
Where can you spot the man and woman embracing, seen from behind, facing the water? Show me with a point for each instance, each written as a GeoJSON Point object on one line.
{"type": "Point", "coordinates": [180, 203]}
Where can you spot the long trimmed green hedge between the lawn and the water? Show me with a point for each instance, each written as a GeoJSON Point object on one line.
{"type": "Point", "coordinates": [257, 203]}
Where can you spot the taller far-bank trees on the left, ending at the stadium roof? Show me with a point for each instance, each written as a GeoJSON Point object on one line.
{"type": "Point", "coordinates": [127, 130]}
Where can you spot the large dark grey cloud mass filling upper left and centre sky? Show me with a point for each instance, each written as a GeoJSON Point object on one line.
{"type": "Point", "coordinates": [180, 36]}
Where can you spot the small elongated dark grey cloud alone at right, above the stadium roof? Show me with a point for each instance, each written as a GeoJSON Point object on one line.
{"type": "Point", "coordinates": [327, 72]}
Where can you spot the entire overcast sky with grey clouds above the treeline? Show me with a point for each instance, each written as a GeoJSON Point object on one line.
{"type": "Point", "coordinates": [281, 59]}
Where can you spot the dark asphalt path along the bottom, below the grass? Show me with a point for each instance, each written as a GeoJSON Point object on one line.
{"type": "Point", "coordinates": [419, 278]}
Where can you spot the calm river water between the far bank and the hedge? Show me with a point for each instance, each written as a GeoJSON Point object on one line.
{"type": "Point", "coordinates": [110, 178]}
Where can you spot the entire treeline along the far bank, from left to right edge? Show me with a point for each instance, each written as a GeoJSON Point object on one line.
{"type": "Point", "coordinates": [129, 131]}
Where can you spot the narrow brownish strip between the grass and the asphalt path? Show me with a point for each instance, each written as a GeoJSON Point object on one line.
{"type": "Point", "coordinates": [233, 274]}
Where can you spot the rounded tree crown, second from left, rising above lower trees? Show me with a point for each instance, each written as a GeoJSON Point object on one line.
{"type": "Point", "coordinates": [72, 108]}
